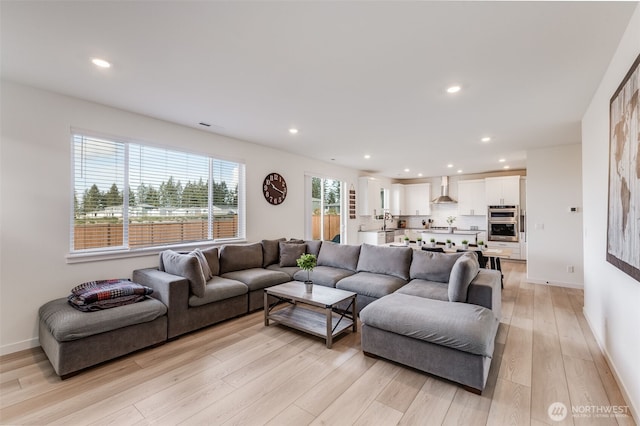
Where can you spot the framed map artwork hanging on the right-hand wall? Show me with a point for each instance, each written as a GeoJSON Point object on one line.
{"type": "Point", "coordinates": [623, 221]}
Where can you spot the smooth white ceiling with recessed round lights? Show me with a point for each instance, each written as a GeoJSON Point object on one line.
{"type": "Point", "coordinates": [355, 77]}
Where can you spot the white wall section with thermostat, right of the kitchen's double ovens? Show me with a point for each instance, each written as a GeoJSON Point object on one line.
{"type": "Point", "coordinates": [554, 235]}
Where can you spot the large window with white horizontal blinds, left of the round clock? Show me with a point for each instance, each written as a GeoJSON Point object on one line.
{"type": "Point", "coordinates": [128, 195]}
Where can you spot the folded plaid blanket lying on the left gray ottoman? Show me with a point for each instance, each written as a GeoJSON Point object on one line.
{"type": "Point", "coordinates": [105, 294]}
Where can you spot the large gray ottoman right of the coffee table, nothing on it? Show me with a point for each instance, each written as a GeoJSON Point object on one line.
{"type": "Point", "coordinates": [448, 339]}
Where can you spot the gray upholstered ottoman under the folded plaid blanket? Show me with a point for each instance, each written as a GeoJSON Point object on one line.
{"type": "Point", "coordinates": [74, 340]}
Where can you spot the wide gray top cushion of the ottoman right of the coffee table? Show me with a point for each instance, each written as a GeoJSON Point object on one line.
{"type": "Point", "coordinates": [462, 326]}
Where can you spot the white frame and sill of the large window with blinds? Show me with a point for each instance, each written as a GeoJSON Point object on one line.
{"type": "Point", "coordinates": [125, 251]}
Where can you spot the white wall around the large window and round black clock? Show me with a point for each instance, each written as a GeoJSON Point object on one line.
{"type": "Point", "coordinates": [36, 198]}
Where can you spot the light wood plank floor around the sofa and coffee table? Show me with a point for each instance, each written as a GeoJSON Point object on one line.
{"type": "Point", "coordinates": [240, 372]}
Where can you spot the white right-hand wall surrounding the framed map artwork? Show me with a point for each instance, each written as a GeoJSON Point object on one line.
{"type": "Point", "coordinates": [611, 297]}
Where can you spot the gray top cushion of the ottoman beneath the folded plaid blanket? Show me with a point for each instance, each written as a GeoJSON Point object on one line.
{"type": "Point", "coordinates": [66, 323]}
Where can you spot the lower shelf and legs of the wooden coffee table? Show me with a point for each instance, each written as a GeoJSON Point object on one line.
{"type": "Point", "coordinates": [312, 322]}
